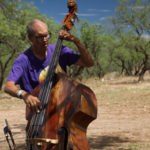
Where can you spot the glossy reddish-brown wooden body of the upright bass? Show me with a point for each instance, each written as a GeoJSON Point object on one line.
{"type": "Point", "coordinates": [71, 107]}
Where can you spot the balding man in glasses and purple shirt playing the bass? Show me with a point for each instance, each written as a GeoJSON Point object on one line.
{"type": "Point", "coordinates": [28, 66]}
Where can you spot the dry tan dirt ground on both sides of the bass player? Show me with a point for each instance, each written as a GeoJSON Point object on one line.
{"type": "Point", "coordinates": [123, 120]}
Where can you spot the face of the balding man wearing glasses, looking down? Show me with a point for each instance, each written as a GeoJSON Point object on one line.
{"type": "Point", "coordinates": [40, 37]}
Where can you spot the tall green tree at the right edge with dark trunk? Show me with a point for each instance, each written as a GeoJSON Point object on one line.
{"type": "Point", "coordinates": [131, 27]}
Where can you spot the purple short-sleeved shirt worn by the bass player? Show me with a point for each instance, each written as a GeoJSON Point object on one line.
{"type": "Point", "coordinates": [27, 67]}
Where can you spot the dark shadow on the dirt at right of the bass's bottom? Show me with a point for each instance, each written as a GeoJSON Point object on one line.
{"type": "Point", "coordinates": [102, 142]}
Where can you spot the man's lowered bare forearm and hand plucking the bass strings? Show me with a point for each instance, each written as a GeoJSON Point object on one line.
{"type": "Point", "coordinates": [31, 101]}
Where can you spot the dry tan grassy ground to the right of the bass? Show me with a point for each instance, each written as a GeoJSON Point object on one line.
{"type": "Point", "coordinates": [123, 114]}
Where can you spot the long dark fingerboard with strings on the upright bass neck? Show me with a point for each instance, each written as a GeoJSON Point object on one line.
{"type": "Point", "coordinates": [48, 83]}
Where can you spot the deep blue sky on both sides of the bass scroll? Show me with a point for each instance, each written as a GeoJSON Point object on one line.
{"type": "Point", "coordinates": [95, 11]}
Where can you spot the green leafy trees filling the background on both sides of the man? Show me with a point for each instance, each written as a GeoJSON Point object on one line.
{"type": "Point", "coordinates": [125, 49]}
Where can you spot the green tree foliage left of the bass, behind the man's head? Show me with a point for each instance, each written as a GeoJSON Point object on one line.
{"type": "Point", "coordinates": [14, 16]}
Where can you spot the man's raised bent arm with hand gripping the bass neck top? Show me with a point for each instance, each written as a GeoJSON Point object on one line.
{"type": "Point", "coordinates": [85, 59]}
